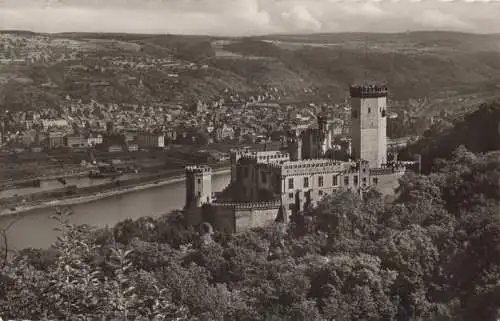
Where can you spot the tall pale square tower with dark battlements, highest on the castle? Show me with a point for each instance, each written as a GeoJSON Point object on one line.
{"type": "Point", "coordinates": [369, 124]}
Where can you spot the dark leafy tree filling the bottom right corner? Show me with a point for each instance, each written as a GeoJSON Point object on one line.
{"type": "Point", "coordinates": [475, 267]}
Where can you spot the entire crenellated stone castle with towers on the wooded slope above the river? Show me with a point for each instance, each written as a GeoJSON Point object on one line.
{"type": "Point", "coordinates": [270, 186]}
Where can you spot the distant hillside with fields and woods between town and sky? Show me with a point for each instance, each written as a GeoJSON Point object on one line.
{"type": "Point", "coordinates": [39, 70]}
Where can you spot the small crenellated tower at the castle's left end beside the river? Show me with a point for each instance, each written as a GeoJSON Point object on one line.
{"type": "Point", "coordinates": [198, 186]}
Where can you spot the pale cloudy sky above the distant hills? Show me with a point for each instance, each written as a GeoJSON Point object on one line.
{"type": "Point", "coordinates": [249, 17]}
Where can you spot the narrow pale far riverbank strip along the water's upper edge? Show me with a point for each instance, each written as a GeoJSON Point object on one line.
{"type": "Point", "coordinates": [101, 195]}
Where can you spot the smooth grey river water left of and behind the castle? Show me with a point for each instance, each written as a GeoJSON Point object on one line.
{"type": "Point", "coordinates": [35, 228]}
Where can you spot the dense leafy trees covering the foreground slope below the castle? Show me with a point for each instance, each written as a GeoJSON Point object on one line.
{"type": "Point", "coordinates": [434, 254]}
